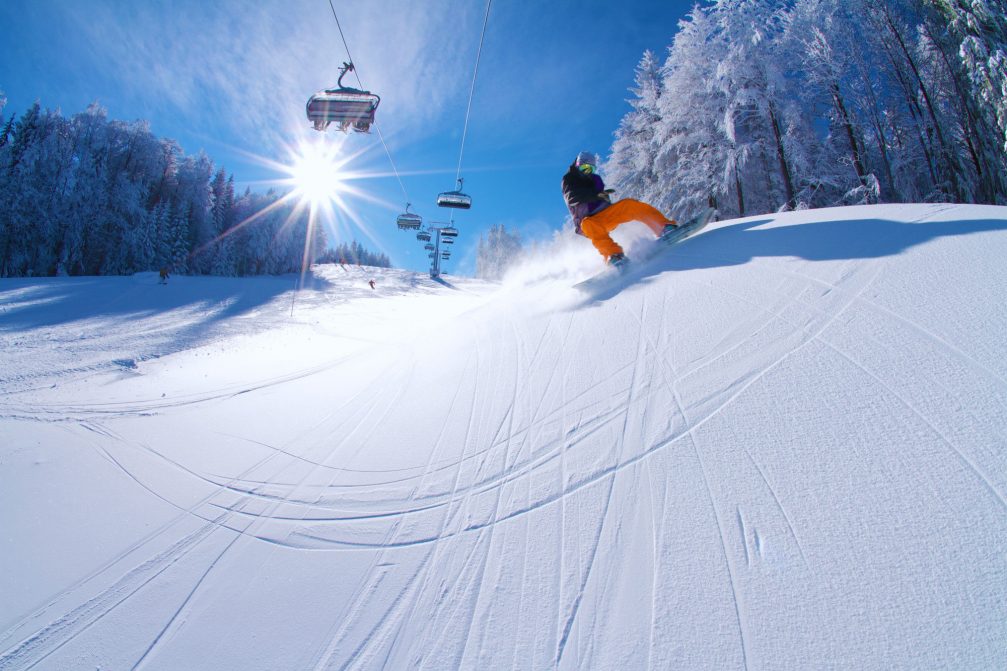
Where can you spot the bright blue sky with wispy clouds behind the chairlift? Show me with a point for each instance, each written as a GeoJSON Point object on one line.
{"type": "Point", "coordinates": [232, 78]}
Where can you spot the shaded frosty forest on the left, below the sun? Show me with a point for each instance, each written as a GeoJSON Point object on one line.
{"type": "Point", "coordinates": [91, 196]}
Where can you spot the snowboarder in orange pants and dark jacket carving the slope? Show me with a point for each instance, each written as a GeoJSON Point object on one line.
{"type": "Point", "coordinates": [596, 216]}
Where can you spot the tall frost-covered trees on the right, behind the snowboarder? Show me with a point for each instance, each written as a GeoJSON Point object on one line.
{"type": "Point", "coordinates": [763, 106]}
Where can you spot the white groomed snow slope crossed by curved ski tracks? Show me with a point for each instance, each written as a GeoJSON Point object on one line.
{"type": "Point", "coordinates": [784, 448]}
